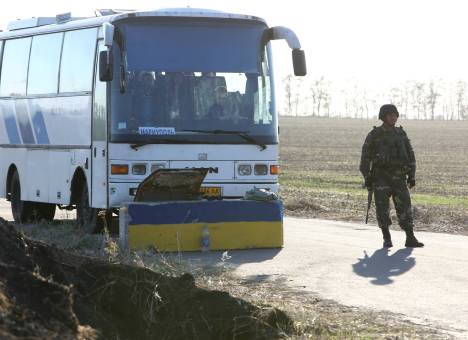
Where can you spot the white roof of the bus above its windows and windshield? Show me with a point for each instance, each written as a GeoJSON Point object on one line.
{"type": "Point", "coordinates": [36, 26]}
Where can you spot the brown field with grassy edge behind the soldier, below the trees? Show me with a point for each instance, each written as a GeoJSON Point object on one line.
{"type": "Point", "coordinates": [320, 176]}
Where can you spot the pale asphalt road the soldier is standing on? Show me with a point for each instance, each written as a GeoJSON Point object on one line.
{"type": "Point", "coordinates": [345, 262]}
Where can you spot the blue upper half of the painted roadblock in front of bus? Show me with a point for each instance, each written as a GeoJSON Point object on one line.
{"type": "Point", "coordinates": [204, 212]}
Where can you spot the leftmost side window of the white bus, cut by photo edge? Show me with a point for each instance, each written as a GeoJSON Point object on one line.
{"type": "Point", "coordinates": [15, 67]}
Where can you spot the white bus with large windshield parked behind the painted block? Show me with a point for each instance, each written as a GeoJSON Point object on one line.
{"type": "Point", "coordinates": [89, 107]}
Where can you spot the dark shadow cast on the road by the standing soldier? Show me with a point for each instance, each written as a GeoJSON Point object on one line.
{"type": "Point", "coordinates": [381, 266]}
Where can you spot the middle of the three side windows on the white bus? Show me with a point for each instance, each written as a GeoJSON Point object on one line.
{"type": "Point", "coordinates": [44, 63]}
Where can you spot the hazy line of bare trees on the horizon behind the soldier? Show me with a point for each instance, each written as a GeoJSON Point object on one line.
{"type": "Point", "coordinates": [320, 97]}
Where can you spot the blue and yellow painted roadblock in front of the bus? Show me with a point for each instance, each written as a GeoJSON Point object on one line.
{"type": "Point", "coordinates": [179, 226]}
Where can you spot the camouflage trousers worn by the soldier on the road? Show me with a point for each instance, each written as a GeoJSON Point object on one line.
{"type": "Point", "coordinates": [395, 188]}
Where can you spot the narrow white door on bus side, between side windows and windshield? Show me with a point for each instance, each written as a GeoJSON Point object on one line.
{"type": "Point", "coordinates": [99, 197]}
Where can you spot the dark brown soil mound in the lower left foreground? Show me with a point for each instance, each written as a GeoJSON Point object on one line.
{"type": "Point", "coordinates": [48, 293]}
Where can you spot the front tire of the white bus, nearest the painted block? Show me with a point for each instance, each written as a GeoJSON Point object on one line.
{"type": "Point", "coordinates": [87, 217]}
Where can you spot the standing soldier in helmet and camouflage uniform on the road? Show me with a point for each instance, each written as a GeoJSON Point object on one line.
{"type": "Point", "coordinates": [389, 167]}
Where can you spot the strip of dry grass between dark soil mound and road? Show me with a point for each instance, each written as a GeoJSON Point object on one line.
{"type": "Point", "coordinates": [314, 317]}
